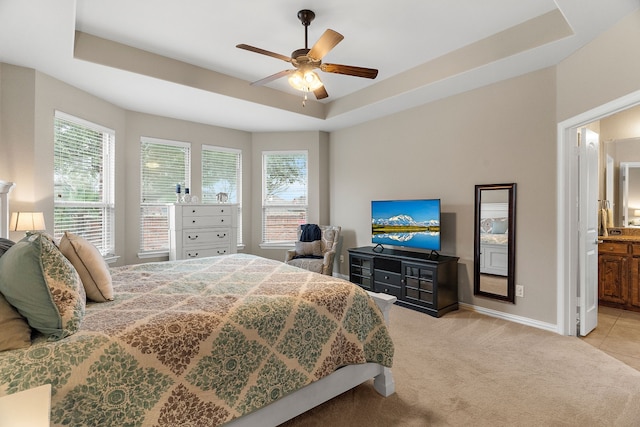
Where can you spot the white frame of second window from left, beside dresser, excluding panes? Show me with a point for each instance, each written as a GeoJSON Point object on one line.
{"type": "Point", "coordinates": [171, 194]}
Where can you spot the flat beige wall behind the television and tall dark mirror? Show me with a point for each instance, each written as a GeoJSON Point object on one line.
{"type": "Point", "coordinates": [498, 134]}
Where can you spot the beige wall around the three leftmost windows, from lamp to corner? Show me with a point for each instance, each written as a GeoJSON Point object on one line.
{"type": "Point", "coordinates": [29, 100]}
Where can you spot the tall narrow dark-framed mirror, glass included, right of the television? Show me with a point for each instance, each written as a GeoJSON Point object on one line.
{"type": "Point", "coordinates": [495, 241]}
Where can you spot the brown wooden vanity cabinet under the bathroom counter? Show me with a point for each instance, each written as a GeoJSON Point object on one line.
{"type": "Point", "coordinates": [619, 274]}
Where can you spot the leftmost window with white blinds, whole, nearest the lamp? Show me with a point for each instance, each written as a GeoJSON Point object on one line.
{"type": "Point", "coordinates": [83, 179]}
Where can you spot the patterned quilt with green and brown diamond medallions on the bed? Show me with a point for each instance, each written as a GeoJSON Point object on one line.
{"type": "Point", "coordinates": [200, 342]}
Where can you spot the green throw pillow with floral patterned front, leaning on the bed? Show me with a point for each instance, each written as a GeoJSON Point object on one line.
{"type": "Point", "coordinates": [43, 286]}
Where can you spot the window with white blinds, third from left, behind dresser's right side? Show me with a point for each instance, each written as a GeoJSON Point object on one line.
{"type": "Point", "coordinates": [222, 173]}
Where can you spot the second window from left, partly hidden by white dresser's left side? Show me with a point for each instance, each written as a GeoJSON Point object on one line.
{"type": "Point", "coordinates": [164, 164]}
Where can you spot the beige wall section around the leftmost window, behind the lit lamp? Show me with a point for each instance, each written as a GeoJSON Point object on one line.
{"type": "Point", "coordinates": [29, 100]}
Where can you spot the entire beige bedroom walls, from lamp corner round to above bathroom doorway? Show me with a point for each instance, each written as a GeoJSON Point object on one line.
{"type": "Point", "coordinates": [506, 132]}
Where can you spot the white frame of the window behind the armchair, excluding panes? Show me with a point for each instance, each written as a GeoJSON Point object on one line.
{"type": "Point", "coordinates": [302, 208]}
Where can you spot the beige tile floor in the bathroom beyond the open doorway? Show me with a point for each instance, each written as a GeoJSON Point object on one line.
{"type": "Point", "coordinates": [618, 335]}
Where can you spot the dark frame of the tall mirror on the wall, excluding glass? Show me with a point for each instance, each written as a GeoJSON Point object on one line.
{"type": "Point", "coordinates": [511, 244]}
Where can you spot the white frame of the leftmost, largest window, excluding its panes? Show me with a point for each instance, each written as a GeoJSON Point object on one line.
{"type": "Point", "coordinates": [106, 242]}
